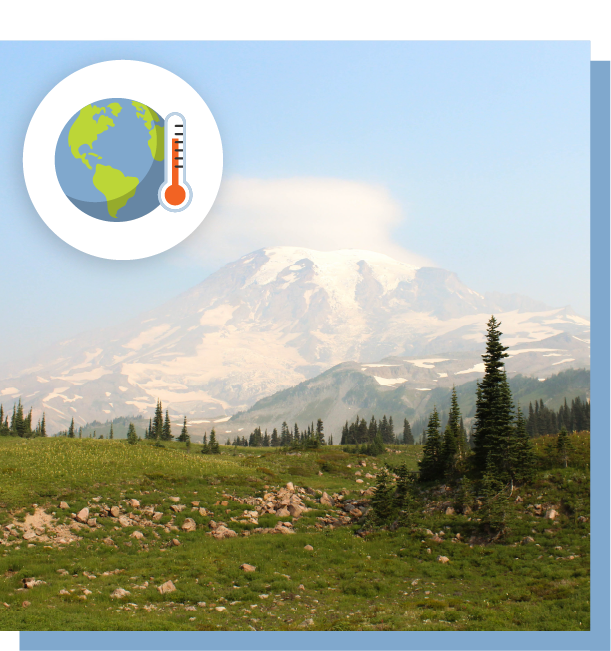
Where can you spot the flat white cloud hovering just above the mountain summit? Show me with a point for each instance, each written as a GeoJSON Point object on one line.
{"type": "Point", "coordinates": [317, 213]}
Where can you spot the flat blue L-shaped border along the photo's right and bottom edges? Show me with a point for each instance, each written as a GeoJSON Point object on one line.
{"type": "Point", "coordinates": [598, 639]}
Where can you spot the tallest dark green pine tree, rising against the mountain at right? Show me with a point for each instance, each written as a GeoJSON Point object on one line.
{"type": "Point", "coordinates": [494, 429]}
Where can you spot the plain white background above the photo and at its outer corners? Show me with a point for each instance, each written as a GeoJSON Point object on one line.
{"type": "Point", "coordinates": [315, 19]}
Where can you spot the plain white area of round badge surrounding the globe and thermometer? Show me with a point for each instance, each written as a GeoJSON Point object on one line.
{"type": "Point", "coordinates": [160, 229]}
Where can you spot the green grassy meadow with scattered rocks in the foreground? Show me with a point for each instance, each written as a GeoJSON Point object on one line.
{"type": "Point", "coordinates": [380, 580]}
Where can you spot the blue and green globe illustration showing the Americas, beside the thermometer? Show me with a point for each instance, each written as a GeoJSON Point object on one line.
{"type": "Point", "coordinates": [109, 159]}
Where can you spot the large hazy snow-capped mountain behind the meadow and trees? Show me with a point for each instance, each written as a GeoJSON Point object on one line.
{"type": "Point", "coordinates": [268, 321]}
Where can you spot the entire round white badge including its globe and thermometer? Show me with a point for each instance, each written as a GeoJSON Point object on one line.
{"type": "Point", "coordinates": [123, 160]}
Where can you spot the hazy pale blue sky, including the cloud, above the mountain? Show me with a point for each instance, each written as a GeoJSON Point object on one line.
{"type": "Point", "coordinates": [469, 156]}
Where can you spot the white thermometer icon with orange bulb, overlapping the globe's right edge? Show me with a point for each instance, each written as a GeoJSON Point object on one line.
{"type": "Point", "coordinates": [175, 194]}
